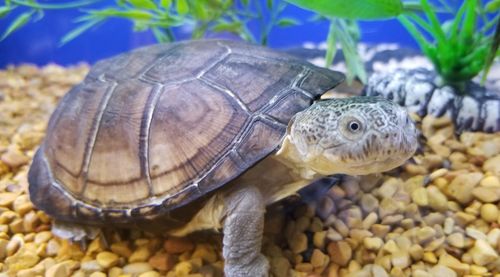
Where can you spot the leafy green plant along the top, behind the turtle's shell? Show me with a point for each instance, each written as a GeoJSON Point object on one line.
{"type": "Point", "coordinates": [161, 17]}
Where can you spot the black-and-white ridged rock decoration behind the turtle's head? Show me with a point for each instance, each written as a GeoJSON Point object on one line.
{"type": "Point", "coordinates": [479, 110]}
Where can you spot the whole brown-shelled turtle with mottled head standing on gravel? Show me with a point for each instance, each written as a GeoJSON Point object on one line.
{"type": "Point", "coordinates": [204, 134]}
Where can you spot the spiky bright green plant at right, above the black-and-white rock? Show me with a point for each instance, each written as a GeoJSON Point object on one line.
{"type": "Point", "coordinates": [459, 48]}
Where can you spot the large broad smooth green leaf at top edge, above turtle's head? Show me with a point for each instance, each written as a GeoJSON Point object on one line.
{"type": "Point", "coordinates": [353, 9]}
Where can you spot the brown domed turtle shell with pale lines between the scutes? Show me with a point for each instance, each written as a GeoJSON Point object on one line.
{"type": "Point", "coordinates": [152, 130]}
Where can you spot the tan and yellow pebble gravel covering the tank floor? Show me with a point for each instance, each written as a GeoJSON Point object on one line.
{"type": "Point", "coordinates": [438, 215]}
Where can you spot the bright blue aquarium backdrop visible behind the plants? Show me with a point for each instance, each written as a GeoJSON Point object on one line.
{"type": "Point", "coordinates": [38, 42]}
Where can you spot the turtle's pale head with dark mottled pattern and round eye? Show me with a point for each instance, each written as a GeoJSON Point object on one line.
{"type": "Point", "coordinates": [356, 136]}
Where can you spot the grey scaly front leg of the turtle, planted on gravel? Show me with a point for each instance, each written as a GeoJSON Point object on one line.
{"type": "Point", "coordinates": [243, 228]}
